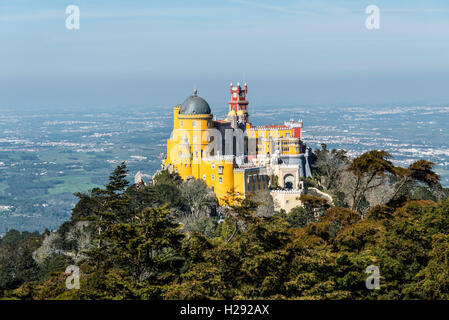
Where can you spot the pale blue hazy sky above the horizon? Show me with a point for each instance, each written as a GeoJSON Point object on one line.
{"type": "Point", "coordinates": [153, 53]}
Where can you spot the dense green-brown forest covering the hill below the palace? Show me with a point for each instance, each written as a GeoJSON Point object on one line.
{"type": "Point", "coordinates": [170, 239]}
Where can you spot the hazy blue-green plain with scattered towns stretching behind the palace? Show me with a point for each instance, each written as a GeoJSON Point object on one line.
{"type": "Point", "coordinates": [46, 157]}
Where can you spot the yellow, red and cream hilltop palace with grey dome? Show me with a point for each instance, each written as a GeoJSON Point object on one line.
{"type": "Point", "coordinates": [234, 157]}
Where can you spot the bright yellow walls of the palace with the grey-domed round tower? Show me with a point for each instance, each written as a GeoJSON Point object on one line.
{"type": "Point", "coordinates": [189, 153]}
